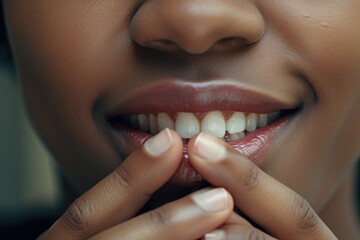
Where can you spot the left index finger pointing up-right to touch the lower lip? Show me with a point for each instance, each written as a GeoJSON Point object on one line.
{"type": "Point", "coordinates": [121, 194]}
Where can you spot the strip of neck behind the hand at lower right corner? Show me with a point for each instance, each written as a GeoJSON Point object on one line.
{"type": "Point", "coordinates": [341, 213]}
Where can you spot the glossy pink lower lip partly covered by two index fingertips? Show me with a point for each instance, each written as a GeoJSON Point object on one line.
{"type": "Point", "coordinates": [254, 145]}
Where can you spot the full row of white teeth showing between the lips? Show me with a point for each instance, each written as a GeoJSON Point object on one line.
{"type": "Point", "coordinates": [214, 123]}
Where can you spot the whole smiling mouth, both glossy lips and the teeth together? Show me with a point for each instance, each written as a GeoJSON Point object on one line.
{"type": "Point", "coordinates": [248, 121]}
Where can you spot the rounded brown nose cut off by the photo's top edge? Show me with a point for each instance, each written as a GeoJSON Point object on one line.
{"type": "Point", "coordinates": [196, 26]}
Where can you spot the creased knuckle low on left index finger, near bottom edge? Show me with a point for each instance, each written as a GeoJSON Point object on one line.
{"type": "Point", "coordinates": [77, 217]}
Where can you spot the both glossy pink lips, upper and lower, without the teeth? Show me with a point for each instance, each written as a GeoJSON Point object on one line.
{"type": "Point", "coordinates": [175, 98]}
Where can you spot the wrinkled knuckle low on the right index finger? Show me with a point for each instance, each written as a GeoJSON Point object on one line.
{"type": "Point", "coordinates": [306, 218]}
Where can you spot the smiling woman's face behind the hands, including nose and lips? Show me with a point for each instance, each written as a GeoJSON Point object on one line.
{"type": "Point", "coordinates": [84, 65]}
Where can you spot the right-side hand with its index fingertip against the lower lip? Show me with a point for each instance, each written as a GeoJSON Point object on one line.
{"type": "Point", "coordinates": [270, 204]}
